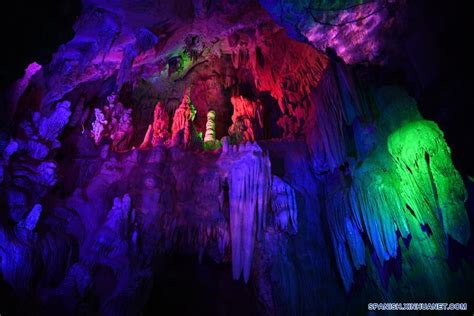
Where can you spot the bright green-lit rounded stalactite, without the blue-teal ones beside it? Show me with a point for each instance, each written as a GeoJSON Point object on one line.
{"type": "Point", "coordinates": [429, 182]}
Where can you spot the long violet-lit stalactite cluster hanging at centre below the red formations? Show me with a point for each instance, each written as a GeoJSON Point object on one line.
{"type": "Point", "coordinates": [249, 181]}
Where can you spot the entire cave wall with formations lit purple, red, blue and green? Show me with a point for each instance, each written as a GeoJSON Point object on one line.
{"type": "Point", "coordinates": [324, 187]}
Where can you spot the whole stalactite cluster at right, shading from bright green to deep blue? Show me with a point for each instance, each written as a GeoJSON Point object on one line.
{"type": "Point", "coordinates": [412, 188]}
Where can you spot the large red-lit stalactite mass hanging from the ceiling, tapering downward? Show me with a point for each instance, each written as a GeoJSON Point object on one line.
{"type": "Point", "coordinates": [289, 72]}
